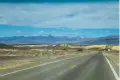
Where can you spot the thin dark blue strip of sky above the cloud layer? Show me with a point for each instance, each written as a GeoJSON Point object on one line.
{"type": "Point", "coordinates": [55, 1]}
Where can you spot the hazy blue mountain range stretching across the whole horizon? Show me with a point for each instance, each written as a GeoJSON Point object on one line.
{"type": "Point", "coordinates": [59, 39]}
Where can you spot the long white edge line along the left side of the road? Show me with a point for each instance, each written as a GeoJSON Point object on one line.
{"type": "Point", "coordinates": [35, 66]}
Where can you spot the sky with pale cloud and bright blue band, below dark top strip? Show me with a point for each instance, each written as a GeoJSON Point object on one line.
{"type": "Point", "coordinates": [92, 19]}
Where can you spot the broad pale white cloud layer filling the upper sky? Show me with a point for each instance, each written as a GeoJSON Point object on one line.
{"type": "Point", "coordinates": [87, 15]}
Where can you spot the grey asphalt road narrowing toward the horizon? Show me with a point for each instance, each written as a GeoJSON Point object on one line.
{"type": "Point", "coordinates": [88, 67]}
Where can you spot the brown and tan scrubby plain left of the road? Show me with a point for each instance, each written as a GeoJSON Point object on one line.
{"type": "Point", "coordinates": [23, 54]}
